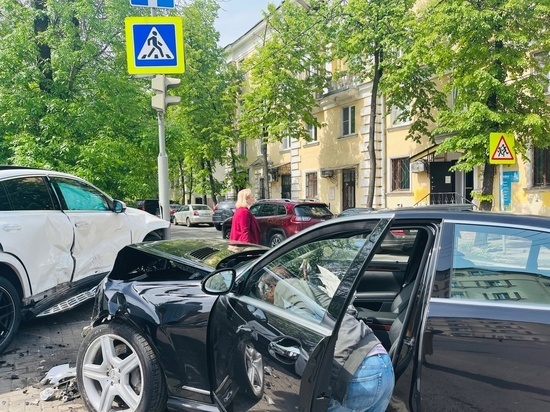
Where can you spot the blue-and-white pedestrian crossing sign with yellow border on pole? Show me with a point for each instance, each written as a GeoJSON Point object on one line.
{"type": "Point", "coordinates": [154, 45]}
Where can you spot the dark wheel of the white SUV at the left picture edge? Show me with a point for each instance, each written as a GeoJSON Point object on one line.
{"type": "Point", "coordinates": [10, 313]}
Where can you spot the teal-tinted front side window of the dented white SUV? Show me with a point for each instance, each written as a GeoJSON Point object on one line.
{"type": "Point", "coordinates": [80, 196]}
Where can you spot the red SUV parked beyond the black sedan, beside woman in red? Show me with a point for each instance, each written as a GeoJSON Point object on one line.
{"type": "Point", "coordinates": [279, 219]}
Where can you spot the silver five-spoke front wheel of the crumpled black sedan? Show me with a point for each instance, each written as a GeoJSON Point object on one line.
{"type": "Point", "coordinates": [116, 358]}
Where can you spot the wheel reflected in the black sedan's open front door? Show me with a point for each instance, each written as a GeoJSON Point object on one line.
{"type": "Point", "coordinates": [250, 370]}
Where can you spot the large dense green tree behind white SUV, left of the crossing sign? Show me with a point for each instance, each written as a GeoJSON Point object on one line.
{"type": "Point", "coordinates": [66, 100]}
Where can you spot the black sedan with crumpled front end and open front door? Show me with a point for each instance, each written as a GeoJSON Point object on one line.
{"type": "Point", "coordinates": [464, 316]}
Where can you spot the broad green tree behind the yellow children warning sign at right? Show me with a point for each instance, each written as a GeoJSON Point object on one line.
{"type": "Point", "coordinates": [492, 55]}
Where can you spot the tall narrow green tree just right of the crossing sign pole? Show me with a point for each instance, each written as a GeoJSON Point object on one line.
{"type": "Point", "coordinates": [204, 123]}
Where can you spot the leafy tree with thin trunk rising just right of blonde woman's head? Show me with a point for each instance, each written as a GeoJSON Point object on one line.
{"type": "Point", "coordinates": [283, 76]}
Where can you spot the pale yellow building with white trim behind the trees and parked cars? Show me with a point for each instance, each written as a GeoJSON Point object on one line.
{"type": "Point", "coordinates": [335, 168]}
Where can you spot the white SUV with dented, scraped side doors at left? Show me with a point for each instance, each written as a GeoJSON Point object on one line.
{"type": "Point", "coordinates": [60, 236]}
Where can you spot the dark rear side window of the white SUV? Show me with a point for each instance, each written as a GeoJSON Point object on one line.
{"type": "Point", "coordinates": [28, 193]}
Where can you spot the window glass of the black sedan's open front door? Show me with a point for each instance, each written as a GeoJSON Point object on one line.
{"type": "Point", "coordinates": [304, 280]}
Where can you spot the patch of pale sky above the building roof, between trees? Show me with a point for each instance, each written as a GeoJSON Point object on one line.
{"type": "Point", "coordinates": [236, 17]}
